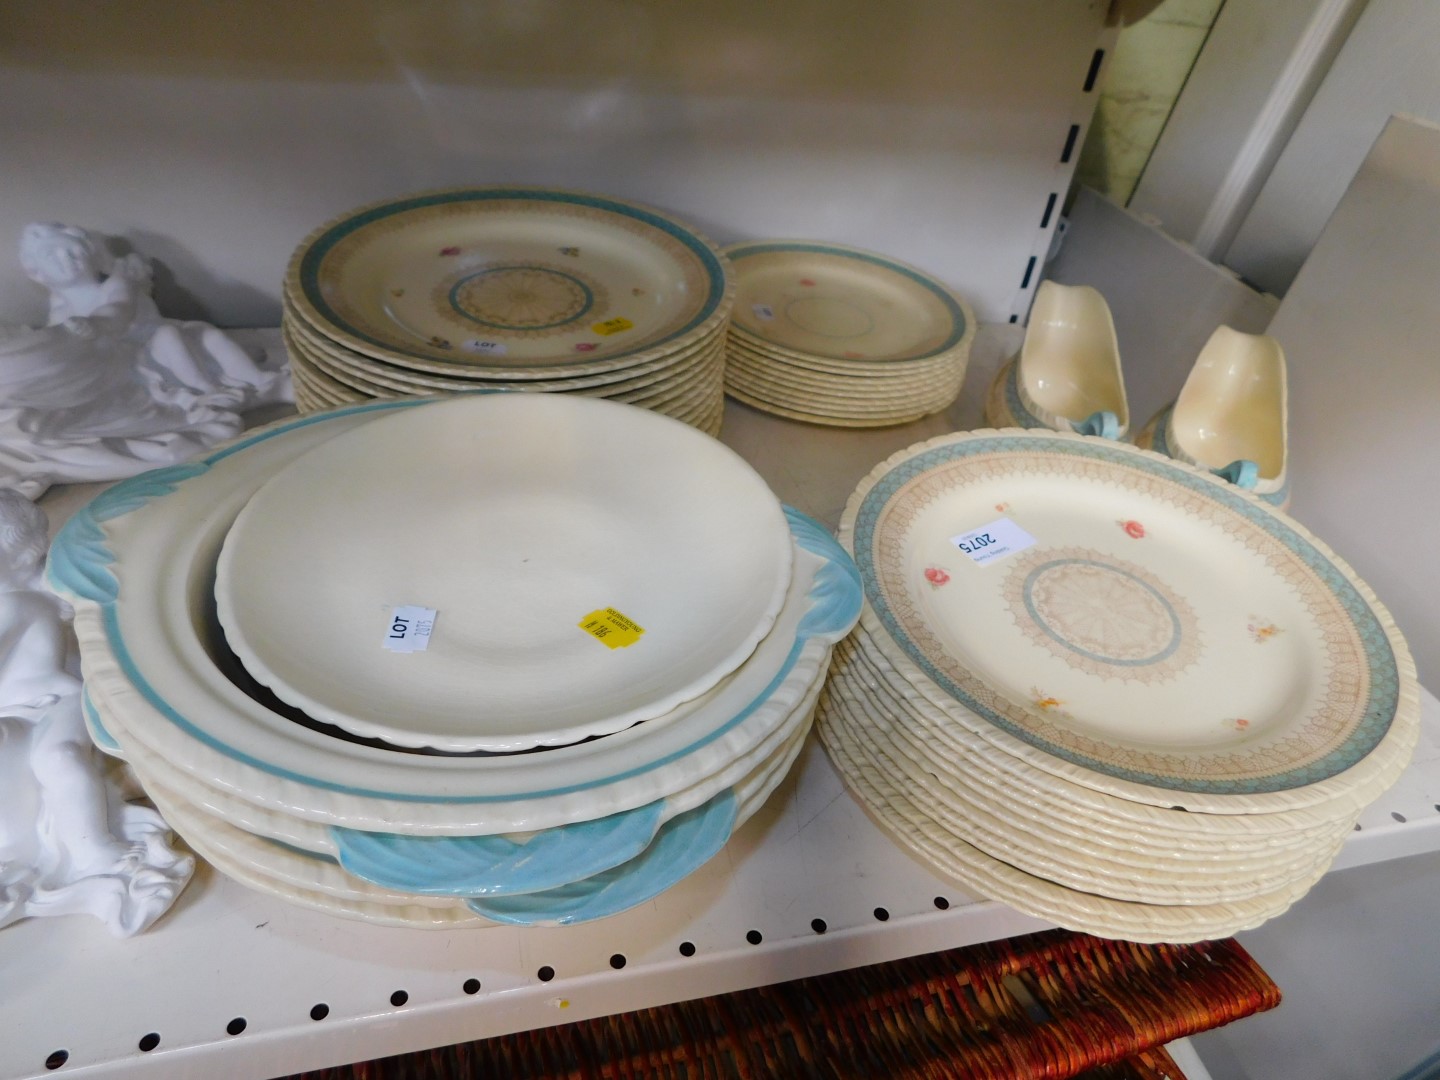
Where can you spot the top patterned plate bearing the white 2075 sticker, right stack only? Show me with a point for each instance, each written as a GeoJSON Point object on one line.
{"type": "Point", "coordinates": [1130, 623]}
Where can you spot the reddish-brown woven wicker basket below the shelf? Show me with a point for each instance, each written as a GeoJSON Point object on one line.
{"type": "Point", "coordinates": [1055, 1004]}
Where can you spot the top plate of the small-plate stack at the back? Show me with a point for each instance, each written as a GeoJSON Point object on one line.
{"type": "Point", "coordinates": [843, 303]}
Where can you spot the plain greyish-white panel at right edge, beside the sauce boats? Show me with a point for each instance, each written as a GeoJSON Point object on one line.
{"type": "Point", "coordinates": [1360, 329]}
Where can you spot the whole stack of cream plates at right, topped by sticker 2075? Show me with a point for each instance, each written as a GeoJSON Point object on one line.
{"type": "Point", "coordinates": [1107, 688]}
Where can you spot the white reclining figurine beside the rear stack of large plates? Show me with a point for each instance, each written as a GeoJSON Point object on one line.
{"type": "Point", "coordinates": [110, 388]}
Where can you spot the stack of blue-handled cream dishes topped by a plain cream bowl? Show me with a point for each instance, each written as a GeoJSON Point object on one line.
{"type": "Point", "coordinates": [490, 659]}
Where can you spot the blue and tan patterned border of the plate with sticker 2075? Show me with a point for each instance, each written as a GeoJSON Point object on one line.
{"type": "Point", "coordinates": [1363, 679]}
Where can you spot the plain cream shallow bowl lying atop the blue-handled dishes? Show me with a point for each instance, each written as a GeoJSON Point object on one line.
{"type": "Point", "coordinates": [572, 567]}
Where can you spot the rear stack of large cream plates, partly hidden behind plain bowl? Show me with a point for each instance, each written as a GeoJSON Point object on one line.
{"type": "Point", "coordinates": [509, 289]}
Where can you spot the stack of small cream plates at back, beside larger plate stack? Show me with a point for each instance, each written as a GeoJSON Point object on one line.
{"type": "Point", "coordinates": [843, 338]}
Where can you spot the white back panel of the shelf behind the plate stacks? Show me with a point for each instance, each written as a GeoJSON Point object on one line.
{"type": "Point", "coordinates": [217, 136]}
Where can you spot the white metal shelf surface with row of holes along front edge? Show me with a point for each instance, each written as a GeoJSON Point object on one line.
{"type": "Point", "coordinates": [227, 954]}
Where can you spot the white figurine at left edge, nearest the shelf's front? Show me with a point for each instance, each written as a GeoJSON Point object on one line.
{"type": "Point", "coordinates": [70, 845]}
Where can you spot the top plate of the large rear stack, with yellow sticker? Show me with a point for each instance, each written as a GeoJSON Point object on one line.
{"type": "Point", "coordinates": [525, 283]}
